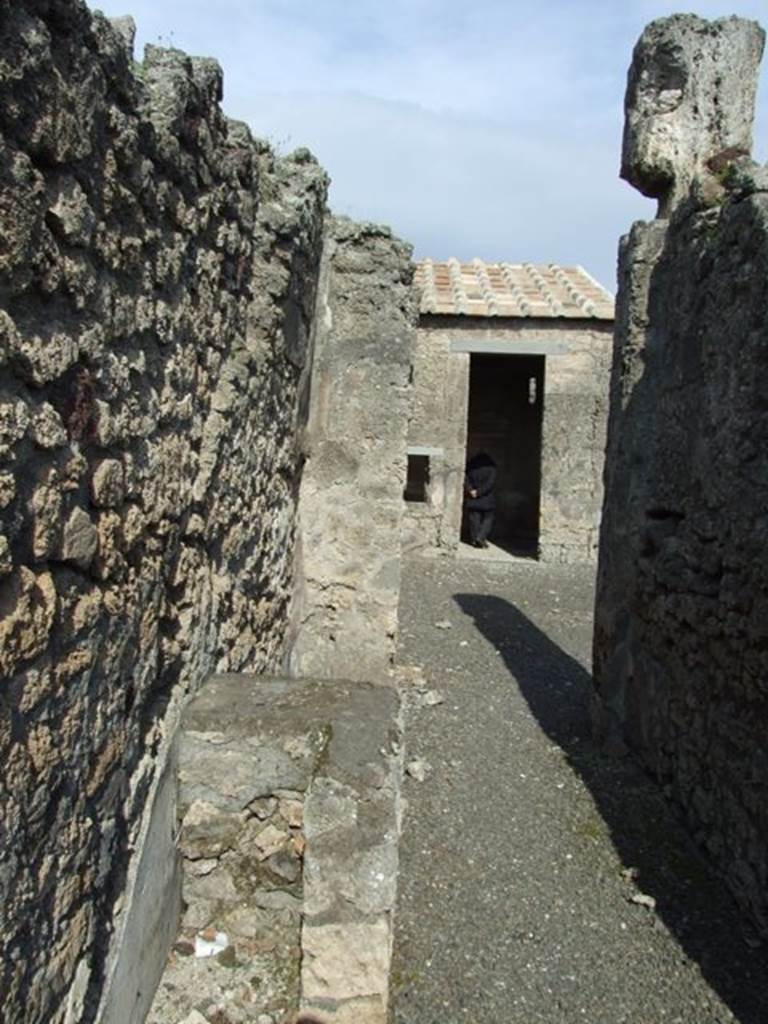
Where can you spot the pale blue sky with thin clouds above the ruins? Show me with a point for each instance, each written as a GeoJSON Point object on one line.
{"type": "Point", "coordinates": [490, 130]}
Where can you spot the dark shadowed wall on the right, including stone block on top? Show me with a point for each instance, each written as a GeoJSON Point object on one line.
{"type": "Point", "coordinates": [681, 642]}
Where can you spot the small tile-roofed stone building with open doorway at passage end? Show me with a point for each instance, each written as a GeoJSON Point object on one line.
{"type": "Point", "coordinates": [513, 360]}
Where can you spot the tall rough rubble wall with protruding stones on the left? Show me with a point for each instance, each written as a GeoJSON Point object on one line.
{"type": "Point", "coordinates": [157, 283]}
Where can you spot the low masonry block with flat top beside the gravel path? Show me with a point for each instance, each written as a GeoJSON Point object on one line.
{"type": "Point", "coordinates": [290, 818]}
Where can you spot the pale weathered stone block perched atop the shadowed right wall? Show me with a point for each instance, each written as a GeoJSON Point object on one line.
{"type": "Point", "coordinates": [690, 105]}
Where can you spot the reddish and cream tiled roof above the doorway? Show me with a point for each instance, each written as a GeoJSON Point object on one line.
{"type": "Point", "coordinates": [480, 289]}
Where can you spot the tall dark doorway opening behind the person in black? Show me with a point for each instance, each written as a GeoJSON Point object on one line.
{"type": "Point", "coordinates": [506, 404]}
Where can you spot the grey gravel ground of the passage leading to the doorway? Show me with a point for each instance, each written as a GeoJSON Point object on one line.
{"type": "Point", "coordinates": [542, 882]}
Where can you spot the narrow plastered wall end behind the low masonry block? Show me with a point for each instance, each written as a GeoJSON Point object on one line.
{"type": "Point", "coordinates": [351, 508]}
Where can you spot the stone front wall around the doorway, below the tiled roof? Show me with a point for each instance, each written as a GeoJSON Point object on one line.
{"type": "Point", "coordinates": [574, 422]}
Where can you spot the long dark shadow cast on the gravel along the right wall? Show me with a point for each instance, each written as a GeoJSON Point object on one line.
{"type": "Point", "coordinates": [690, 900]}
